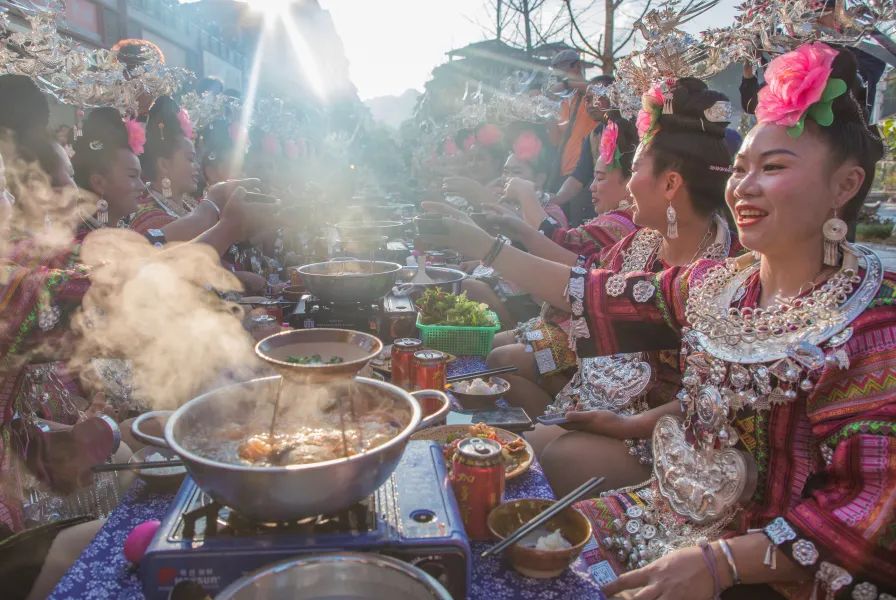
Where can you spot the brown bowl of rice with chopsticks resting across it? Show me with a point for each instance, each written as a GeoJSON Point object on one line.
{"type": "Point", "coordinates": [539, 564]}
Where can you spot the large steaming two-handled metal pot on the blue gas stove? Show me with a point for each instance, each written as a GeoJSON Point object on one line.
{"type": "Point", "coordinates": [282, 493]}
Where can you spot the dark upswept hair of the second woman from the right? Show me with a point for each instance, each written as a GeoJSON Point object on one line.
{"type": "Point", "coordinates": [688, 143]}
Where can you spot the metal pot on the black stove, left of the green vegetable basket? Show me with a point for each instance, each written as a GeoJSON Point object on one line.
{"type": "Point", "coordinates": [350, 280]}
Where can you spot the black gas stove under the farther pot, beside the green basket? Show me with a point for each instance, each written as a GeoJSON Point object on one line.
{"type": "Point", "coordinates": [389, 318]}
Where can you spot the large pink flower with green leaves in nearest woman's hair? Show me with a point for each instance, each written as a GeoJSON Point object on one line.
{"type": "Point", "coordinates": [799, 85]}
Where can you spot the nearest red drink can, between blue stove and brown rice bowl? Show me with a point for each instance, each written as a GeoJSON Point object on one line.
{"type": "Point", "coordinates": [477, 478]}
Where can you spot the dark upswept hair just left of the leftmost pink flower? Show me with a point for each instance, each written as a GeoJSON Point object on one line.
{"type": "Point", "coordinates": [103, 135]}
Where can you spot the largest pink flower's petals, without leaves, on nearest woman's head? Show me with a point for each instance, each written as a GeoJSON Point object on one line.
{"type": "Point", "coordinates": [794, 82]}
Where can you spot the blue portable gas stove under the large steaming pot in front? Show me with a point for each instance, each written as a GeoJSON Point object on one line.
{"type": "Point", "coordinates": [202, 546]}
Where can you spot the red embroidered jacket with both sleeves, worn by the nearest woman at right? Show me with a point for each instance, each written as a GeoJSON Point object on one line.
{"type": "Point", "coordinates": [826, 461]}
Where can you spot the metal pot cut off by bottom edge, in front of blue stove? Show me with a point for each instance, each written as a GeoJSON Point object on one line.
{"type": "Point", "coordinates": [348, 576]}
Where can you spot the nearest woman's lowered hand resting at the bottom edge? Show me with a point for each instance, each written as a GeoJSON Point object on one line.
{"type": "Point", "coordinates": [681, 575]}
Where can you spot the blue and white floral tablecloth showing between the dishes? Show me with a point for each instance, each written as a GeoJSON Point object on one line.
{"type": "Point", "coordinates": [103, 572]}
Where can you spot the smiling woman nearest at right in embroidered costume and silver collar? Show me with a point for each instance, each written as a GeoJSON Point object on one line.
{"type": "Point", "coordinates": [780, 469]}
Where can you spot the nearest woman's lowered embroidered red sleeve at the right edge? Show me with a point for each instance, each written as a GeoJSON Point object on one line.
{"type": "Point", "coordinates": [843, 527]}
